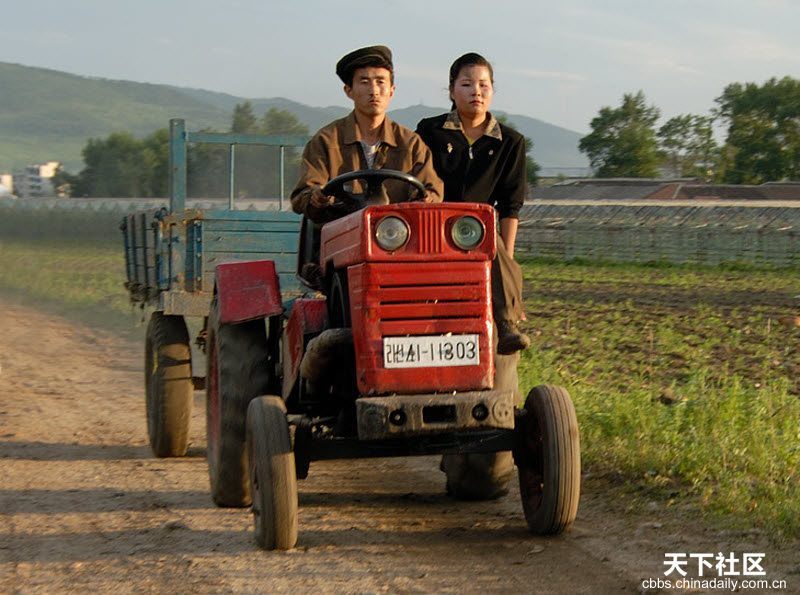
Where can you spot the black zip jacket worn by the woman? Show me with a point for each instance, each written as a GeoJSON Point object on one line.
{"type": "Point", "coordinates": [492, 170]}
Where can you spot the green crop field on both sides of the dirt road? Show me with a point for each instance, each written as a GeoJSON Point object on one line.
{"type": "Point", "coordinates": [685, 379]}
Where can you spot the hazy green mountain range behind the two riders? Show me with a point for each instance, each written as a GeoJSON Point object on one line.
{"type": "Point", "coordinates": [49, 115]}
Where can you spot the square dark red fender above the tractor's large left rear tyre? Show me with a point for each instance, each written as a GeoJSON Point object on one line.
{"type": "Point", "coordinates": [247, 290]}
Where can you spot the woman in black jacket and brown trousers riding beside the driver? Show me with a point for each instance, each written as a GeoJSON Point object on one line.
{"type": "Point", "coordinates": [481, 160]}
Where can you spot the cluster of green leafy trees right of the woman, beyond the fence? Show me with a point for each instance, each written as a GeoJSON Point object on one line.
{"type": "Point", "coordinates": [762, 137]}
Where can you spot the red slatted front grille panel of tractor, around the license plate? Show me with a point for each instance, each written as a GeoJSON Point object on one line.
{"type": "Point", "coordinates": [414, 300]}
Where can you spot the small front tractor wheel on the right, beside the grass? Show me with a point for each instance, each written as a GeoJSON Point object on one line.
{"type": "Point", "coordinates": [549, 461]}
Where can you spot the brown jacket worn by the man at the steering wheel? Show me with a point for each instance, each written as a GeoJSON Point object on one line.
{"type": "Point", "coordinates": [336, 149]}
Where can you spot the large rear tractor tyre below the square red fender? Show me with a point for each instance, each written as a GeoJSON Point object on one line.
{"type": "Point", "coordinates": [237, 371]}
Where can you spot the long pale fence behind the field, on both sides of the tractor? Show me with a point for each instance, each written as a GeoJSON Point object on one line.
{"type": "Point", "coordinates": [639, 232]}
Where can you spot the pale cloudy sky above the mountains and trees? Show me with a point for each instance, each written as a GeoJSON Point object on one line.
{"type": "Point", "coordinates": [557, 61]}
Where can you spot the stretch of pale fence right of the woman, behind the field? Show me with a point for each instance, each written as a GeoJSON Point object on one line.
{"type": "Point", "coordinates": [665, 232]}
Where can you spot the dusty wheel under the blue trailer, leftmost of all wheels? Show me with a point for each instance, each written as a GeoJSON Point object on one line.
{"type": "Point", "coordinates": [168, 384]}
